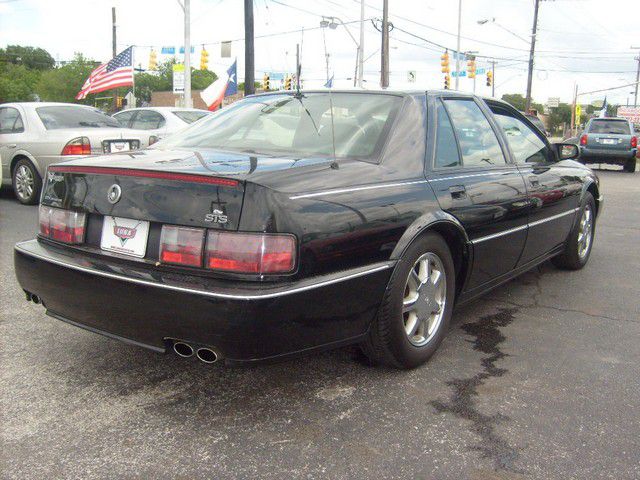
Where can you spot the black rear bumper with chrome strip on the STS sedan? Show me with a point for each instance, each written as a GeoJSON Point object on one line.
{"type": "Point", "coordinates": [242, 322]}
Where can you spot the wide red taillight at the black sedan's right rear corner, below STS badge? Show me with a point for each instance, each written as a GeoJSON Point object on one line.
{"type": "Point", "coordinates": [250, 253]}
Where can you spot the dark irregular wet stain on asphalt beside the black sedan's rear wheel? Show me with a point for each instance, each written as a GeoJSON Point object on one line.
{"type": "Point", "coordinates": [462, 404]}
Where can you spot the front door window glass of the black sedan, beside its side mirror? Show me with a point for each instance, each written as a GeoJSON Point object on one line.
{"type": "Point", "coordinates": [525, 143]}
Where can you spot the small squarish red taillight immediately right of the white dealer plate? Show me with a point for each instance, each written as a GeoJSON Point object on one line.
{"type": "Point", "coordinates": [181, 245]}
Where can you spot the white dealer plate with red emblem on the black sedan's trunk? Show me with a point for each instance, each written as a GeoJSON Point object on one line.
{"type": "Point", "coordinates": [125, 235]}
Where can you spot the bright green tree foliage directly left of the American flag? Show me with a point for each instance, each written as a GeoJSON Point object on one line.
{"type": "Point", "coordinates": [63, 84]}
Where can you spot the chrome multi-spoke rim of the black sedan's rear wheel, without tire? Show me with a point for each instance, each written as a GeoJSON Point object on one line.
{"type": "Point", "coordinates": [425, 295]}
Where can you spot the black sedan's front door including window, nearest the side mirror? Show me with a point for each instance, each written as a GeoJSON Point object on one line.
{"type": "Point", "coordinates": [554, 187]}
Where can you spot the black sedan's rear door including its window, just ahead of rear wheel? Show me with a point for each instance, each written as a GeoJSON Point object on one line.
{"type": "Point", "coordinates": [476, 183]}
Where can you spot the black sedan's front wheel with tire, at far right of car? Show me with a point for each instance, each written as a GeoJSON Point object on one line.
{"type": "Point", "coordinates": [576, 252]}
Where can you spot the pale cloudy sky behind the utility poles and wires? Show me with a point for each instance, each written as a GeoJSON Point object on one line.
{"type": "Point", "coordinates": [583, 42]}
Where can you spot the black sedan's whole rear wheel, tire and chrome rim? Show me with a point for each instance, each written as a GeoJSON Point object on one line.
{"type": "Point", "coordinates": [388, 342]}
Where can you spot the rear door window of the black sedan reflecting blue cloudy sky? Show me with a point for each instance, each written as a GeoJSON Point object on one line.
{"type": "Point", "coordinates": [478, 142]}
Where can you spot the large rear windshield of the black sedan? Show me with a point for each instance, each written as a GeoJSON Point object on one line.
{"type": "Point", "coordinates": [322, 124]}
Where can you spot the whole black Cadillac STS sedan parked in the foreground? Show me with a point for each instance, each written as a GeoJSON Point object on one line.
{"type": "Point", "coordinates": [289, 223]}
